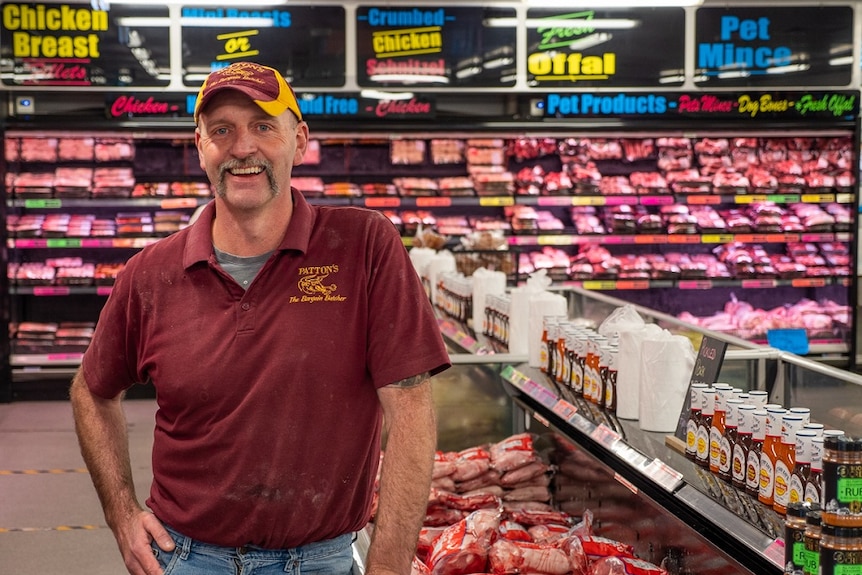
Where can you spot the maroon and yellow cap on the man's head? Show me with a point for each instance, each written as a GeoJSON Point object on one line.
{"type": "Point", "coordinates": [263, 84]}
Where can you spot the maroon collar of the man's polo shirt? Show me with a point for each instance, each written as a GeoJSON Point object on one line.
{"type": "Point", "coordinates": [200, 242]}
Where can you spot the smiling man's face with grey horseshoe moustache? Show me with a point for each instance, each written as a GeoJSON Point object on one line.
{"type": "Point", "coordinates": [247, 154]}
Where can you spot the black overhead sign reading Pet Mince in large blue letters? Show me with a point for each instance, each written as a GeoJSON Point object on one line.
{"type": "Point", "coordinates": [774, 46]}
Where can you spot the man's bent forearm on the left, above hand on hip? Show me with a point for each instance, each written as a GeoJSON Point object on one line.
{"type": "Point", "coordinates": [102, 436]}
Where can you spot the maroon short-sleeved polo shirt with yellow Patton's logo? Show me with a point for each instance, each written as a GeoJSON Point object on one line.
{"type": "Point", "coordinates": [268, 423]}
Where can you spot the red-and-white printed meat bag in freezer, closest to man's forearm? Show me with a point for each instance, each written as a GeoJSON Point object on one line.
{"type": "Point", "coordinates": [463, 548]}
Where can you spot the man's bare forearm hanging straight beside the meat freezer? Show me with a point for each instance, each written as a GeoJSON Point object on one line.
{"type": "Point", "coordinates": [405, 479]}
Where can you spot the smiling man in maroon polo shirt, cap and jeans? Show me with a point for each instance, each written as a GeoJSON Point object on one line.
{"type": "Point", "coordinates": [283, 341]}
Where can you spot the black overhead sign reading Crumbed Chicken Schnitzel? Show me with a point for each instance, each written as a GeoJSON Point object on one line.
{"type": "Point", "coordinates": [435, 46]}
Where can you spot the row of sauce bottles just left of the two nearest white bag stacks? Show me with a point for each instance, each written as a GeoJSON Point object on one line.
{"type": "Point", "coordinates": [580, 359]}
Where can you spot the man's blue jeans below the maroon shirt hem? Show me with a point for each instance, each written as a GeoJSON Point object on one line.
{"type": "Point", "coordinates": [190, 557]}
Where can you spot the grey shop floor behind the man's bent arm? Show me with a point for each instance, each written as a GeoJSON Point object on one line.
{"type": "Point", "coordinates": [50, 519]}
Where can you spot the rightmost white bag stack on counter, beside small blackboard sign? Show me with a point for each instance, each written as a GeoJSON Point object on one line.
{"type": "Point", "coordinates": [666, 363]}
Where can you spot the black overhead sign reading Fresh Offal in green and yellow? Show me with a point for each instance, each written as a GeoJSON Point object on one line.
{"type": "Point", "coordinates": [605, 48]}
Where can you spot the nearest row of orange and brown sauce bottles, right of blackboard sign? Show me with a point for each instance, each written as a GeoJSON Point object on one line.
{"type": "Point", "coordinates": [772, 453]}
